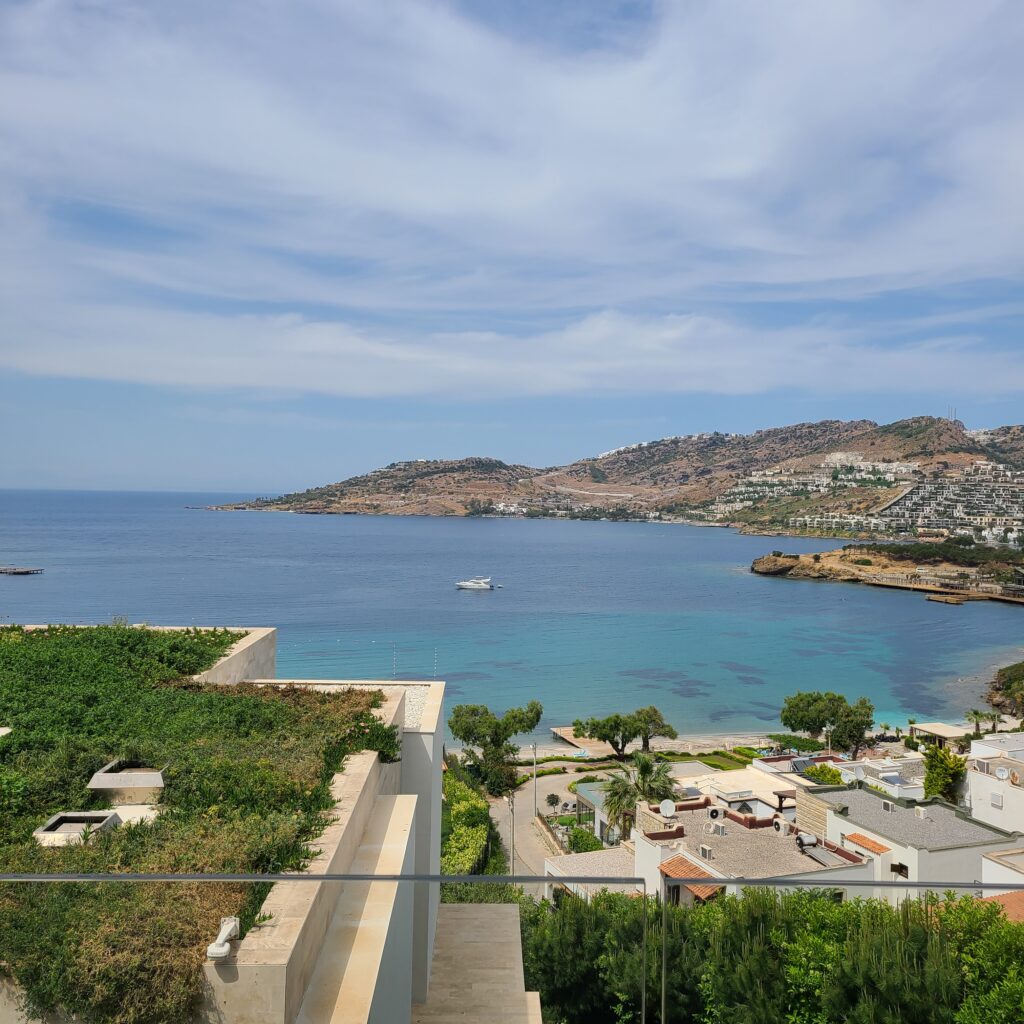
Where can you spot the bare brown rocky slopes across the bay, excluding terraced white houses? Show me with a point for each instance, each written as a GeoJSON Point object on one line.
{"type": "Point", "coordinates": [668, 476]}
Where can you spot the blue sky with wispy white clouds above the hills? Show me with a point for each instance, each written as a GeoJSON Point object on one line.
{"type": "Point", "coordinates": [264, 246]}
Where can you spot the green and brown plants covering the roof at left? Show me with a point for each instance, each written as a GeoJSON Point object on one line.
{"type": "Point", "coordinates": [247, 773]}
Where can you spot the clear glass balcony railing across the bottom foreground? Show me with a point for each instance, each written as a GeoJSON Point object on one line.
{"type": "Point", "coordinates": [155, 948]}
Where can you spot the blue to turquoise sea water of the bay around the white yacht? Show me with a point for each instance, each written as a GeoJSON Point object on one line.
{"type": "Point", "coordinates": [593, 617]}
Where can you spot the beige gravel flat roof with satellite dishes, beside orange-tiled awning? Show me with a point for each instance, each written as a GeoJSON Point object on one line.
{"type": "Point", "coordinates": [741, 852]}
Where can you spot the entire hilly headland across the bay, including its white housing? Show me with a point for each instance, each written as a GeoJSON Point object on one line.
{"type": "Point", "coordinates": [833, 478]}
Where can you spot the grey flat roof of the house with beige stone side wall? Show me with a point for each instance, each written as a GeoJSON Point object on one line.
{"type": "Point", "coordinates": [942, 828]}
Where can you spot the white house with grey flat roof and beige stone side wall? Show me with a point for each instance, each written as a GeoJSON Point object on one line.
{"type": "Point", "coordinates": [928, 841]}
